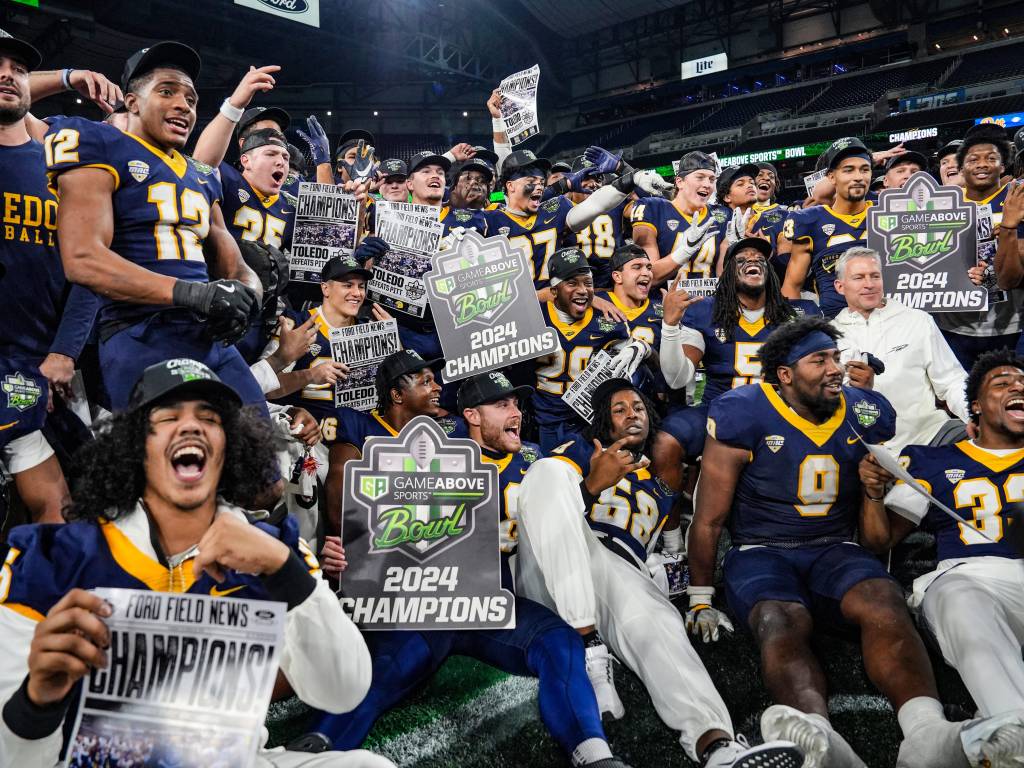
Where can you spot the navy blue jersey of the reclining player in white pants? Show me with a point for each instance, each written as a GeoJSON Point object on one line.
{"type": "Point", "coordinates": [633, 511]}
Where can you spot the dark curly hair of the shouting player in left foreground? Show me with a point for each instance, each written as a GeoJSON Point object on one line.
{"type": "Point", "coordinates": [108, 476]}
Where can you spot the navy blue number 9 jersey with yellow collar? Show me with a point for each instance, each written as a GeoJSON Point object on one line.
{"type": "Point", "coordinates": [801, 483]}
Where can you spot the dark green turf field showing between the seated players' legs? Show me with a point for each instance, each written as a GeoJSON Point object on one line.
{"type": "Point", "coordinates": [472, 716]}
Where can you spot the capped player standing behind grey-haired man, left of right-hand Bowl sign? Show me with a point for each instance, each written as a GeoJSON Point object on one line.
{"type": "Point", "coordinates": [821, 234]}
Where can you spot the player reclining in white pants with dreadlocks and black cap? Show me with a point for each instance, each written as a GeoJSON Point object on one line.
{"type": "Point", "coordinates": [583, 553]}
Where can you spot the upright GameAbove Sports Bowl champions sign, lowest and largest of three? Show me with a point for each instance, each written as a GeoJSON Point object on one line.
{"type": "Point", "coordinates": [420, 528]}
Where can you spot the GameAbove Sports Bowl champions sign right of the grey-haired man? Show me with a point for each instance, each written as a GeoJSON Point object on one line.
{"type": "Point", "coordinates": [927, 238]}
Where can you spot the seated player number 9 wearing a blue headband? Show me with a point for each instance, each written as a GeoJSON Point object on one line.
{"type": "Point", "coordinates": [781, 465]}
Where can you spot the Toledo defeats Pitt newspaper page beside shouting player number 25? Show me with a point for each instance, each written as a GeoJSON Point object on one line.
{"type": "Point", "coordinates": [327, 223]}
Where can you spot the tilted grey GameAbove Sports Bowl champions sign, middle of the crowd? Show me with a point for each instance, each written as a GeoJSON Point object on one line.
{"type": "Point", "coordinates": [486, 308]}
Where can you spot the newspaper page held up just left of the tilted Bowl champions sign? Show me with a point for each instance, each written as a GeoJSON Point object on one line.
{"type": "Point", "coordinates": [414, 234]}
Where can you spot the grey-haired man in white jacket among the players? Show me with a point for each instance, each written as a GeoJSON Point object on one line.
{"type": "Point", "coordinates": [920, 366]}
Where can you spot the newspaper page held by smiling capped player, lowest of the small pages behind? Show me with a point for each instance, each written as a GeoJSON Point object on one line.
{"type": "Point", "coordinates": [362, 348]}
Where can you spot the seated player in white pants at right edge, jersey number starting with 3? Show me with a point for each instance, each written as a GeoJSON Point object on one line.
{"type": "Point", "coordinates": [972, 603]}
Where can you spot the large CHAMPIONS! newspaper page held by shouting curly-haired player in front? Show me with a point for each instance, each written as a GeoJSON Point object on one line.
{"type": "Point", "coordinates": [188, 684]}
